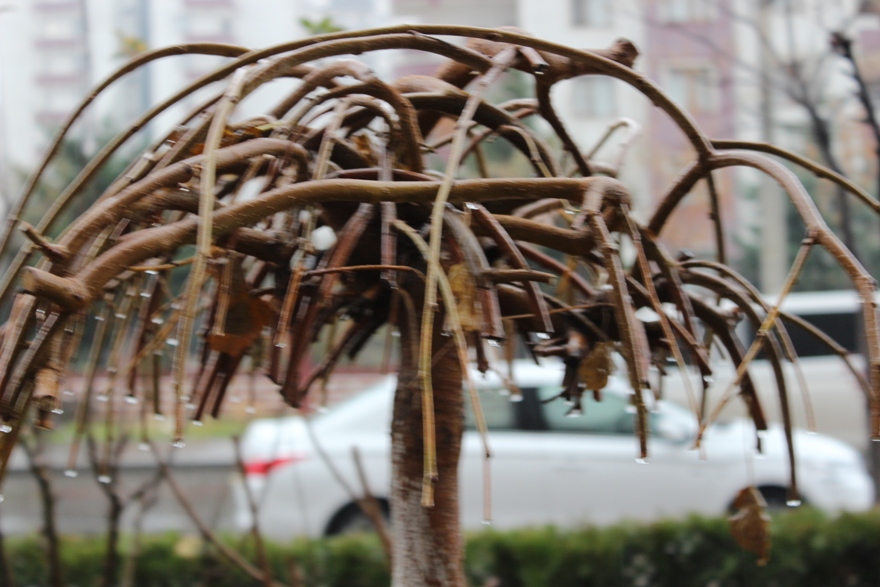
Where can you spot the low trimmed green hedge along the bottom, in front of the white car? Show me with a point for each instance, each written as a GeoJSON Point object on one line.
{"type": "Point", "coordinates": [808, 550]}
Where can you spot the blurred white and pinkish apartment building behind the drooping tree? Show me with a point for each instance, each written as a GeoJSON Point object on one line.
{"type": "Point", "coordinates": [747, 69]}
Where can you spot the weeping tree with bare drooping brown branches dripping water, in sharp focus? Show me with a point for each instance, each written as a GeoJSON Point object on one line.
{"type": "Point", "coordinates": [453, 264]}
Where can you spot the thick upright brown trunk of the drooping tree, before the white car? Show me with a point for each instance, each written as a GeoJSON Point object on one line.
{"type": "Point", "coordinates": [427, 541]}
